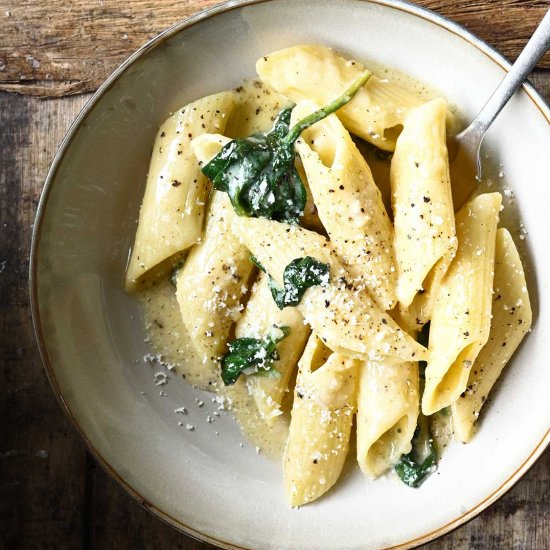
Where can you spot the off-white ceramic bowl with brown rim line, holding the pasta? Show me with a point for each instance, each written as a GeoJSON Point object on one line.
{"type": "Point", "coordinates": [91, 333]}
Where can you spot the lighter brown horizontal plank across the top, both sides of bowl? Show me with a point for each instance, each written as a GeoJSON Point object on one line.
{"type": "Point", "coordinates": [59, 48]}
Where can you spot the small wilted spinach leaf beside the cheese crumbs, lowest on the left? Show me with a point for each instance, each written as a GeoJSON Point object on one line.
{"type": "Point", "coordinates": [251, 355]}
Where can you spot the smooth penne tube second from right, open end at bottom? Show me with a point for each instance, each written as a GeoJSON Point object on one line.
{"type": "Point", "coordinates": [461, 316]}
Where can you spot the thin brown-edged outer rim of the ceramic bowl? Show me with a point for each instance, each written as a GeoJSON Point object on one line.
{"type": "Point", "coordinates": [402, 5]}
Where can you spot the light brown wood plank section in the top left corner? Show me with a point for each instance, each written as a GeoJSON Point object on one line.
{"type": "Point", "coordinates": [54, 48]}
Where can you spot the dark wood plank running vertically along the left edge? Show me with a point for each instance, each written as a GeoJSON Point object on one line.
{"type": "Point", "coordinates": [42, 463]}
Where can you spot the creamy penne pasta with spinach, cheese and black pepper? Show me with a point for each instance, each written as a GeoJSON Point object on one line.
{"type": "Point", "coordinates": [303, 229]}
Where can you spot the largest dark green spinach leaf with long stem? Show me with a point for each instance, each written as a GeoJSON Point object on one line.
{"type": "Point", "coordinates": [258, 172]}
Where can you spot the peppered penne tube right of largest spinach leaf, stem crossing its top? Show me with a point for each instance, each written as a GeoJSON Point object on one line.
{"type": "Point", "coordinates": [349, 204]}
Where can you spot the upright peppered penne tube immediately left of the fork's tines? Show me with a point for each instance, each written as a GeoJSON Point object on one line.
{"type": "Point", "coordinates": [425, 236]}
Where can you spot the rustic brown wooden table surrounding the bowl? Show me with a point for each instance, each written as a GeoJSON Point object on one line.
{"type": "Point", "coordinates": [53, 54]}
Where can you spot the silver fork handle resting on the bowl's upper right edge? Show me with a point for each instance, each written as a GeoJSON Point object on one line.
{"type": "Point", "coordinates": [537, 46]}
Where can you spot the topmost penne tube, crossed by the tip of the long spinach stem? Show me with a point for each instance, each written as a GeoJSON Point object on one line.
{"type": "Point", "coordinates": [315, 72]}
